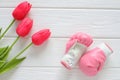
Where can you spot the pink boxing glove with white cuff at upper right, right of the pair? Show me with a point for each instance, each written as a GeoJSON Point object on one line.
{"type": "Point", "coordinates": [92, 61]}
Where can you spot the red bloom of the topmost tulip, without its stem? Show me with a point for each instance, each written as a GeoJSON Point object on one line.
{"type": "Point", "coordinates": [21, 10]}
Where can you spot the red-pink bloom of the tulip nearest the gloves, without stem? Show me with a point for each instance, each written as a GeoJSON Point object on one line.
{"type": "Point", "coordinates": [41, 36]}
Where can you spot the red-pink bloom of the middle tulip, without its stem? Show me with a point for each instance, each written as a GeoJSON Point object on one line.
{"type": "Point", "coordinates": [24, 27]}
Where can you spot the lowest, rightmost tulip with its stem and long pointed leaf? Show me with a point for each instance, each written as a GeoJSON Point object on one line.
{"type": "Point", "coordinates": [37, 39]}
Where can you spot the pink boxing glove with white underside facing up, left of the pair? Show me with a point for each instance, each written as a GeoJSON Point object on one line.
{"type": "Point", "coordinates": [75, 47]}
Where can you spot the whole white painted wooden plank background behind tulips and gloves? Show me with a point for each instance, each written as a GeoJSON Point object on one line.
{"type": "Point", "coordinates": [100, 18]}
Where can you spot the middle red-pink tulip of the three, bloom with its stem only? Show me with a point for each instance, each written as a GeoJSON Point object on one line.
{"type": "Point", "coordinates": [22, 30]}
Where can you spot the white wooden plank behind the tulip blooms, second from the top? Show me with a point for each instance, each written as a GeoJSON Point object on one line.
{"type": "Point", "coordinates": [64, 22]}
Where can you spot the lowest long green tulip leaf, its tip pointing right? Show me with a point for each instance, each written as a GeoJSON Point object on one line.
{"type": "Point", "coordinates": [11, 64]}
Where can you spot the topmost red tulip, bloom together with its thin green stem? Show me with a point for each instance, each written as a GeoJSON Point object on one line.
{"type": "Point", "coordinates": [19, 13]}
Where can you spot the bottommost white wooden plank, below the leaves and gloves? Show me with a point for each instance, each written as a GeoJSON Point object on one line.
{"type": "Point", "coordinates": [36, 73]}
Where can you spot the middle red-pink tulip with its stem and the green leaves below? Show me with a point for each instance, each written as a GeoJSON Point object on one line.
{"type": "Point", "coordinates": [22, 30]}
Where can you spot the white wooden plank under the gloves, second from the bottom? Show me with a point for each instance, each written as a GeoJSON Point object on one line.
{"type": "Point", "coordinates": [50, 53]}
